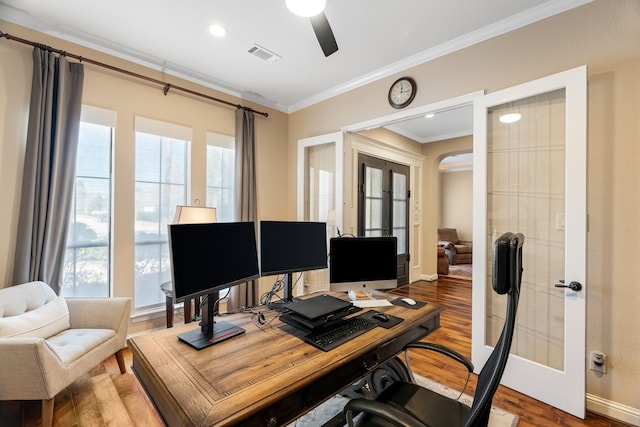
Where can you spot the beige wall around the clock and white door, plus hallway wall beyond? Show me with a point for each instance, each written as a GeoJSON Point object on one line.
{"type": "Point", "coordinates": [603, 35]}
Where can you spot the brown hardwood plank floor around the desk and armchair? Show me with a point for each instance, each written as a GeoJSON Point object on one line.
{"type": "Point", "coordinates": [104, 397]}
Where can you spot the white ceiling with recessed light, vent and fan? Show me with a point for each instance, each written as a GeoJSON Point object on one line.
{"type": "Point", "coordinates": [376, 38]}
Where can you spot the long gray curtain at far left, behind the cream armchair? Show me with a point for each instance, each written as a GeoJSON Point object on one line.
{"type": "Point", "coordinates": [49, 168]}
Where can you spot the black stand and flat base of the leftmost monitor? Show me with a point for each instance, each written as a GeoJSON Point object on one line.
{"type": "Point", "coordinates": [210, 332]}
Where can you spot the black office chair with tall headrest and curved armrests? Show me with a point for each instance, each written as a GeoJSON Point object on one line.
{"type": "Point", "coordinates": [405, 403]}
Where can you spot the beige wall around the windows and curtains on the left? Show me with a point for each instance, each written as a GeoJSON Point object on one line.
{"type": "Point", "coordinates": [128, 97]}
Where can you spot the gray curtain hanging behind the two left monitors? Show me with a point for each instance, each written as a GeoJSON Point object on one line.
{"type": "Point", "coordinates": [246, 201]}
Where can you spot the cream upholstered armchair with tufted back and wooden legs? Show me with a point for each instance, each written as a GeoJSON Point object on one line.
{"type": "Point", "coordinates": [47, 342]}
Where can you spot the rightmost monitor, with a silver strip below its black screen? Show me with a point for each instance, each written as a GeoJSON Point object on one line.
{"type": "Point", "coordinates": [363, 263]}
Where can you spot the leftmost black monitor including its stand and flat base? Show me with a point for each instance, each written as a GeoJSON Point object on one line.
{"type": "Point", "coordinates": [206, 258]}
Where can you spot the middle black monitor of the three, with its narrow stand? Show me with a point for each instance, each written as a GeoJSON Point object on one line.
{"type": "Point", "coordinates": [288, 247]}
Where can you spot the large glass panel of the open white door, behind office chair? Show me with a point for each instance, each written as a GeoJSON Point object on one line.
{"type": "Point", "coordinates": [526, 182]}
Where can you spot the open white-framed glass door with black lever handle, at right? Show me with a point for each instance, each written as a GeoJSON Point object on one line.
{"type": "Point", "coordinates": [530, 177]}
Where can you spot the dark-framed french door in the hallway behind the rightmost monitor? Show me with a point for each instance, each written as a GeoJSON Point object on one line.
{"type": "Point", "coordinates": [383, 205]}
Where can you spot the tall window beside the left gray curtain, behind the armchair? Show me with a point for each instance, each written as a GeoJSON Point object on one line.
{"type": "Point", "coordinates": [87, 262]}
